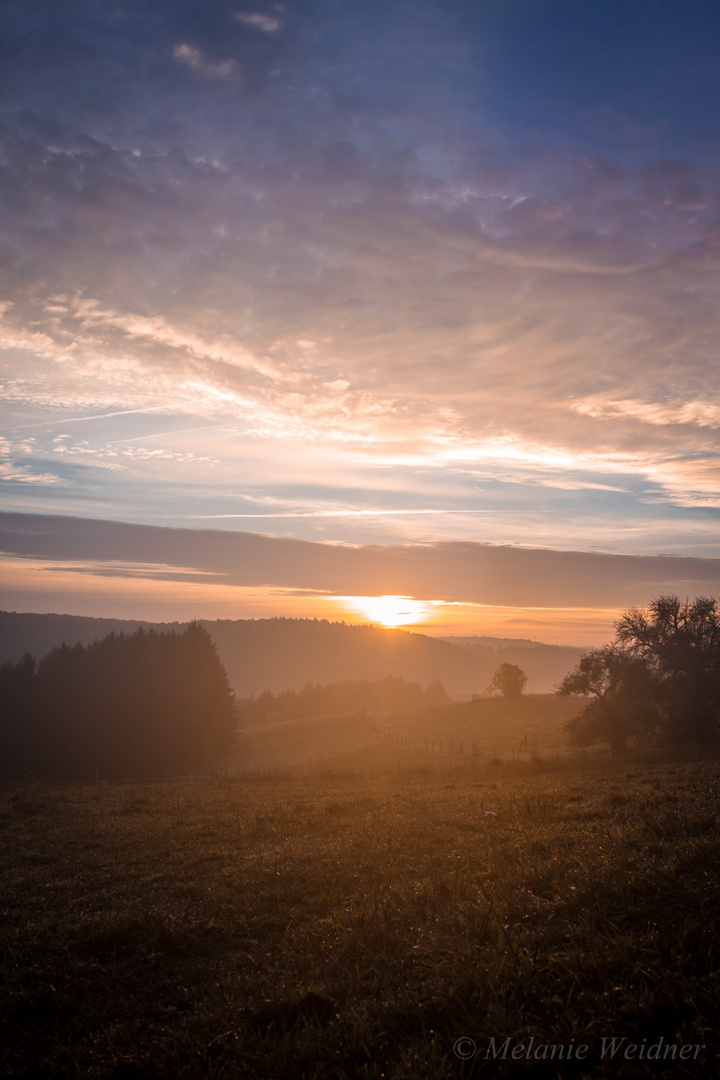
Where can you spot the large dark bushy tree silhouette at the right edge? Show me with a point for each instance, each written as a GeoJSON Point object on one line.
{"type": "Point", "coordinates": [659, 681]}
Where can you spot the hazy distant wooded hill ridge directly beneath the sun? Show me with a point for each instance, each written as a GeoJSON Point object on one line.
{"type": "Point", "coordinates": [288, 654]}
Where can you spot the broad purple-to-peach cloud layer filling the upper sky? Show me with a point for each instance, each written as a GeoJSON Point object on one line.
{"type": "Point", "coordinates": [342, 261]}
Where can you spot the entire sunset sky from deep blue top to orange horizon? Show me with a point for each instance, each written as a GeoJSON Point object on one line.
{"type": "Point", "coordinates": [425, 291]}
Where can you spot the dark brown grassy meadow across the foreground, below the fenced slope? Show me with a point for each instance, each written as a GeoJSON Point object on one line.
{"type": "Point", "coordinates": [359, 926]}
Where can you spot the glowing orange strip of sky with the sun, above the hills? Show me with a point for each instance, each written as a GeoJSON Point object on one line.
{"type": "Point", "coordinates": [126, 590]}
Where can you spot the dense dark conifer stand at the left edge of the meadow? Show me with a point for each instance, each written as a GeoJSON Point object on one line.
{"type": "Point", "coordinates": [141, 706]}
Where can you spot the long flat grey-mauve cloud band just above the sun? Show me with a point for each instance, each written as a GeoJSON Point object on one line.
{"type": "Point", "coordinates": [465, 573]}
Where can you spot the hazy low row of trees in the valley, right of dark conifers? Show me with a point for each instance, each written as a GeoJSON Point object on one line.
{"type": "Point", "coordinates": [392, 693]}
